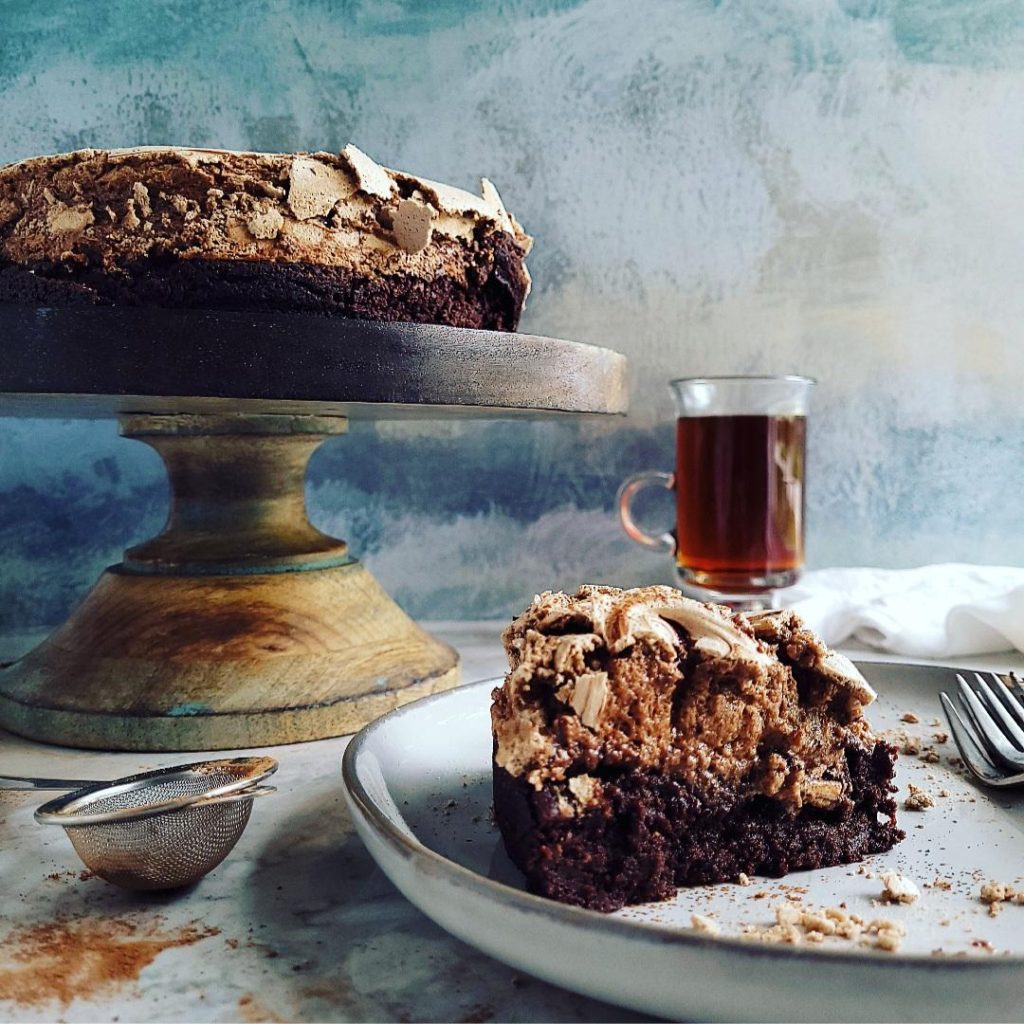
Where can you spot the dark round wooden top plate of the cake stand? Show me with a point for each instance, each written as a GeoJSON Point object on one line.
{"type": "Point", "coordinates": [72, 363]}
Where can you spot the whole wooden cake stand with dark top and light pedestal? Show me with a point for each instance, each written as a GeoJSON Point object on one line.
{"type": "Point", "coordinates": [241, 624]}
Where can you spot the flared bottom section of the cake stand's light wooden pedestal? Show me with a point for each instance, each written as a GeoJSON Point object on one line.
{"type": "Point", "coordinates": [216, 663]}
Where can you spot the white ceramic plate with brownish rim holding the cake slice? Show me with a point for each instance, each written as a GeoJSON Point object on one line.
{"type": "Point", "coordinates": [418, 785]}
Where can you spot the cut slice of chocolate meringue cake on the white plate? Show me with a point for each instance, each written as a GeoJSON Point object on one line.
{"type": "Point", "coordinates": [645, 741]}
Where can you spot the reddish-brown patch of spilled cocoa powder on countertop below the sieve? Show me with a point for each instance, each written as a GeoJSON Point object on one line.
{"type": "Point", "coordinates": [64, 961]}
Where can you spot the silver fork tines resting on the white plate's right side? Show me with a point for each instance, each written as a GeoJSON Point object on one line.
{"type": "Point", "coordinates": [991, 733]}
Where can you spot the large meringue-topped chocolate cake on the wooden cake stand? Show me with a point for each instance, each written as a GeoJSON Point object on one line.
{"type": "Point", "coordinates": [322, 233]}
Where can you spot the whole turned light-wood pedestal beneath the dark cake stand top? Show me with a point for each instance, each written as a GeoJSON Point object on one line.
{"type": "Point", "coordinates": [240, 626]}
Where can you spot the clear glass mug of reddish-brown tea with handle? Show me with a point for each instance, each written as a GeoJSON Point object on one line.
{"type": "Point", "coordinates": [741, 457]}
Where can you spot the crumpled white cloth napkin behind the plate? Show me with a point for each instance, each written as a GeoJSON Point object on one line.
{"type": "Point", "coordinates": [933, 612]}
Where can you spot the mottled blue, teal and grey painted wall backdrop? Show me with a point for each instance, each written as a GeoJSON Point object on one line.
{"type": "Point", "coordinates": [791, 186]}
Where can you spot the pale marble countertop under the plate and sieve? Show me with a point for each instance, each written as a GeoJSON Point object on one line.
{"type": "Point", "coordinates": [297, 924]}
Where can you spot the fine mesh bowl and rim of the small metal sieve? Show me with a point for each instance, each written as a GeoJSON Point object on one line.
{"type": "Point", "coordinates": [165, 829]}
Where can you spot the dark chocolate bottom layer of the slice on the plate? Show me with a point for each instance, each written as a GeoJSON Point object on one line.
{"type": "Point", "coordinates": [652, 834]}
